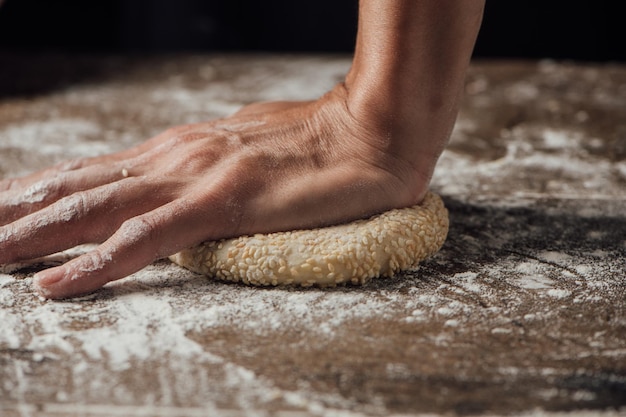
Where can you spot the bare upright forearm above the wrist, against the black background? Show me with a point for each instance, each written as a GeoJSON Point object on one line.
{"type": "Point", "coordinates": [409, 65]}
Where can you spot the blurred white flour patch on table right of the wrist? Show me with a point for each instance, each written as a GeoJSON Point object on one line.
{"type": "Point", "coordinates": [556, 153]}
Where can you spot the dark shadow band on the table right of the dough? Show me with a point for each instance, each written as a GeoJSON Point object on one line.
{"type": "Point", "coordinates": [485, 233]}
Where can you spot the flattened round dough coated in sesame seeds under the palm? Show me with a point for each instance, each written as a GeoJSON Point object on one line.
{"type": "Point", "coordinates": [355, 252]}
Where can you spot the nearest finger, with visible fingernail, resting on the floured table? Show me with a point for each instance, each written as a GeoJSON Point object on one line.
{"type": "Point", "coordinates": [137, 243]}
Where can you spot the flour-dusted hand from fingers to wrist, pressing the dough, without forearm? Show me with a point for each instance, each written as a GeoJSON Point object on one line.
{"type": "Point", "coordinates": [270, 167]}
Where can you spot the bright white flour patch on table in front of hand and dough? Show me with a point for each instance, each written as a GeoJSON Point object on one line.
{"type": "Point", "coordinates": [138, 324]}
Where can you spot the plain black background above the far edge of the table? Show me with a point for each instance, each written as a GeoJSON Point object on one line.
{"type": "Point", "coordinates": [577, 30]}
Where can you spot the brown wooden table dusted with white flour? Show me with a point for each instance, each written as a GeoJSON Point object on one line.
{"type": "Point", "coordinates": [524, 309]}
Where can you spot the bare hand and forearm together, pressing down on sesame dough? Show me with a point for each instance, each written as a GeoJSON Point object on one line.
{"type": "Point", "coordinates": [369, 145]}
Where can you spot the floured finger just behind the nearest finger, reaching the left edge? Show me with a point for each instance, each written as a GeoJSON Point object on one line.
{"type": "Point", "coordinates": [84, 217]}
